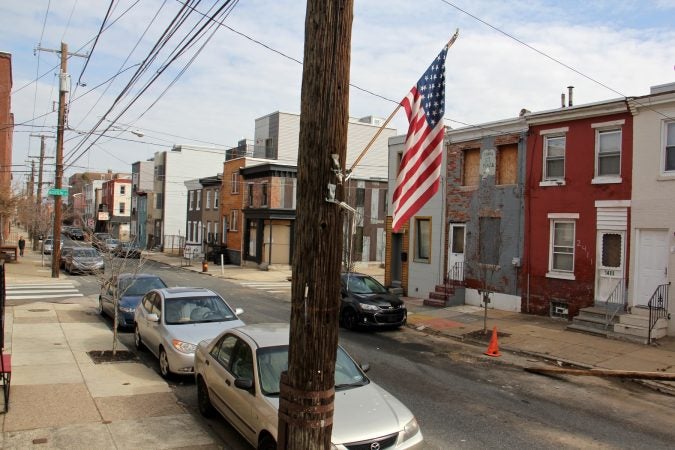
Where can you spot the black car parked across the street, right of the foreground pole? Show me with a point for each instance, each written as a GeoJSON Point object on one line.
{"type": "Point", "coordinates": [366, 303]}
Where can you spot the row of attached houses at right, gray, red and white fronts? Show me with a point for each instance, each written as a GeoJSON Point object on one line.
{"type": "Point", "coordinates": [550, 214]}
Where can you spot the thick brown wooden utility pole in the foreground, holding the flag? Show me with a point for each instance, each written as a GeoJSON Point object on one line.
{"type": "Point", "coordinates": [307, 388]}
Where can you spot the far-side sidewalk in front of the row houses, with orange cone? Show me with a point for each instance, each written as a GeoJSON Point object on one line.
{"type": "Point", "coordinates": [538, 336]}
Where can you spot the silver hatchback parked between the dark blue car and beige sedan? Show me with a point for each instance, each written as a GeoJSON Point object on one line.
{"type": "Point", "coordinates": [172, 321]}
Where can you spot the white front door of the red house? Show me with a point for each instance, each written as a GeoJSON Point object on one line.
{"type": "Point", "coordinates": [610, 265]}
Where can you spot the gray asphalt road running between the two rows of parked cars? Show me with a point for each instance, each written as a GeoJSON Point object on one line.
{"type": "Point", "coordinates": [461, 399]}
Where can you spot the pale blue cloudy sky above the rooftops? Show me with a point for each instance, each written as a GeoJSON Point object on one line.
{"type": "Point", "coordinates": [510, 55]}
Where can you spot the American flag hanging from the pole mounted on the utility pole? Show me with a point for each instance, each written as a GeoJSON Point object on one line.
{"type": "Point", "coordinates": [420, 170]}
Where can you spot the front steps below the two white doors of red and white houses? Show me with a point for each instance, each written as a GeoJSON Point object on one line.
{"type": "Point", "coordinates": [633, 326]}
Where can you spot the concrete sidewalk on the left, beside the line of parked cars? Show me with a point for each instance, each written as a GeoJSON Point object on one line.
{"type": "Point", "coordinates": [61, 399]}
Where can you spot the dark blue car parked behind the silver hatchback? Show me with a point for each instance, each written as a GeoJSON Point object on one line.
{"type": "Point", "coordinates": [130, 288]}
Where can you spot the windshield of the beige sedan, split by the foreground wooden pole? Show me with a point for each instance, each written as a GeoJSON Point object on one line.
{"type": "Point", "coordinates": [274, 360]}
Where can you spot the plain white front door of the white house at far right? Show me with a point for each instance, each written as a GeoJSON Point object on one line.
{"type": "Point", "coordinates": [651, 264]}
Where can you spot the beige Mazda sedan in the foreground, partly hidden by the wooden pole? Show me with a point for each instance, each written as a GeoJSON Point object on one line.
{"type": "Point", "coordinates": [238, 372]}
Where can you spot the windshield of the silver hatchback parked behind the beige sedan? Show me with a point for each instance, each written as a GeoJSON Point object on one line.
{"type": "Point", "coordinates": [186, 310]}
